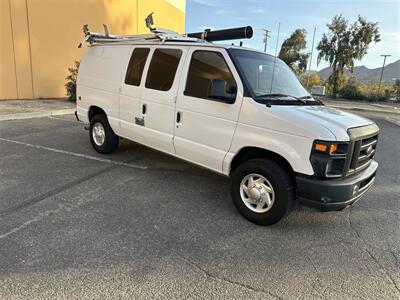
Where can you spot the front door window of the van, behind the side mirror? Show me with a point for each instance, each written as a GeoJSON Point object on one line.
{"type": "Point", "coordinates": [209, 77]}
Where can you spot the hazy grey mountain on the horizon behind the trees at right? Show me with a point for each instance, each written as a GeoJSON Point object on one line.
{"type": "Point", "coordinates": [365, 75]}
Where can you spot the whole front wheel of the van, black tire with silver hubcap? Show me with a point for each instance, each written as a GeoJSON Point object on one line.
{"type": "Point", "coordinates": [270, 183]}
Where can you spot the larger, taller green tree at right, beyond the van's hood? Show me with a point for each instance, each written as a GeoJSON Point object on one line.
{"type": "Point", "coordinates": [344, 44]}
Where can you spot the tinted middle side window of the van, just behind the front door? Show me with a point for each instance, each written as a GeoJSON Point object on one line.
{"type": "Point", "coordinates": [162, 69]}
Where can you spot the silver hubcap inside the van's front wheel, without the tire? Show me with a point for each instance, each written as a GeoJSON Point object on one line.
{"type": "Point", "coordinates": [257, 193]}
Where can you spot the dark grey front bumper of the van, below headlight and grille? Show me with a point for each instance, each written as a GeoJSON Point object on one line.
{"type": "Point", "coordinates": [335, 194]}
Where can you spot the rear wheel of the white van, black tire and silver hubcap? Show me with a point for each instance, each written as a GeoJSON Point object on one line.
{"type": "Point", "coordinates": [105, 142]}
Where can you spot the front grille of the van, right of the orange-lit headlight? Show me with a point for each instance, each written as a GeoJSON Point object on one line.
{"type": "Point", "coordinates": [364, 150]}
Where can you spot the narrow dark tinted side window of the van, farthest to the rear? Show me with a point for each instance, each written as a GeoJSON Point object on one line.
{"type": "Point", "coordinates": [136, 65]}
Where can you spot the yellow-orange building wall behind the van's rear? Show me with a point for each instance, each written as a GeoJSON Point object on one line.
{"type": "Point", "coordinates": [39, 38]}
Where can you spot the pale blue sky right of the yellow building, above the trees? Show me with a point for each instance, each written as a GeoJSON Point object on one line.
{"type": "Point", "coordinates": [293, 14]}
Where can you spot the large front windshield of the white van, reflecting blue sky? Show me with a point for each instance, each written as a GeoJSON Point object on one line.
{"type": "Point", "coordinates": [270, 79]}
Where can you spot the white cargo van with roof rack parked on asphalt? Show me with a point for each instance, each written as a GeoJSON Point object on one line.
{"type": "Point", "coordinates": [236, 111]}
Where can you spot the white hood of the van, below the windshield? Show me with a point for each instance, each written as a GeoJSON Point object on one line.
{"type": "Point", "coordinates": [337, 121]}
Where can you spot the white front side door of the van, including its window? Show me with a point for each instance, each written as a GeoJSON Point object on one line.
{"type": "Point", "coordinates": [207, 108]}
